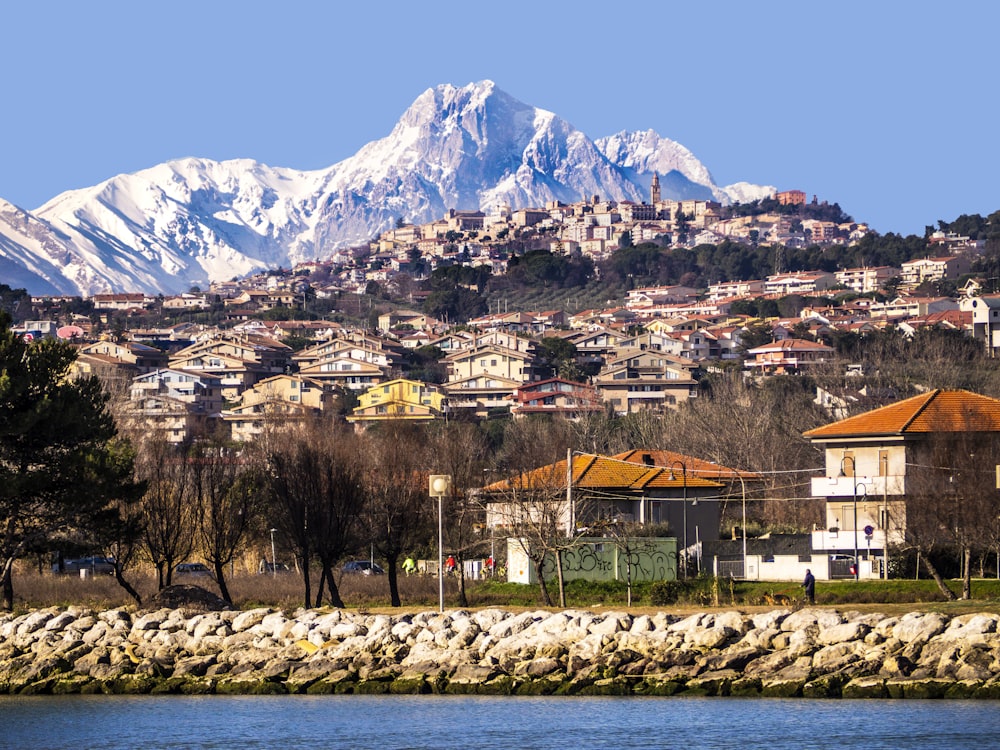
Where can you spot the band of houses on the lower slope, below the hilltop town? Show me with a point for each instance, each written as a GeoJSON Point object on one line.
{"type": "Point", "coordinates": [186, 379]}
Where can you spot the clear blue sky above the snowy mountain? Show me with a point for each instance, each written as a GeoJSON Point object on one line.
{"type": "Point", "coordinates": [883, 107]}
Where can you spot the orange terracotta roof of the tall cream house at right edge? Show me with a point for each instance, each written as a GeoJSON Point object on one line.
{"type": "Point", "coordinates": [934, 411]}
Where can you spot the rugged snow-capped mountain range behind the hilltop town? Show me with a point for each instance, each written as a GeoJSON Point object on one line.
{"type": "Point", "coordinates": [190, 221]}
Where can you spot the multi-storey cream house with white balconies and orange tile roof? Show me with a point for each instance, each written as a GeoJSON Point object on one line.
{"type": "Point", "coordinates": [872, 461]}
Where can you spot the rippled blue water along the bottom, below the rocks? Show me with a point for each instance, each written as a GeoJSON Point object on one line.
{"type": "Point", "coordinates": [444, 722]}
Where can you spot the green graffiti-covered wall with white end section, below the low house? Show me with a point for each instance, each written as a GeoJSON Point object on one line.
{"type": "Point", "coordinates": [605, 559]}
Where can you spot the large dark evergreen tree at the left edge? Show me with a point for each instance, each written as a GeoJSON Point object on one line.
{"type": "Point", "coordinates": [61, 471]}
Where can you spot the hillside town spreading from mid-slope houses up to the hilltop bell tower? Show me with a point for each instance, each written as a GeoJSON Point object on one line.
{"type": "Point", "coordinates": [644, 353]}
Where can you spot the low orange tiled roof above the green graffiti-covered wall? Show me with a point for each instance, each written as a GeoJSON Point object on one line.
{"type": "Point", "coordinates": [601, 472]}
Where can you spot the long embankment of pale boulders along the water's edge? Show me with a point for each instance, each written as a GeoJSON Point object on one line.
{"type": "Point", "coordinates": [809, 652]}
